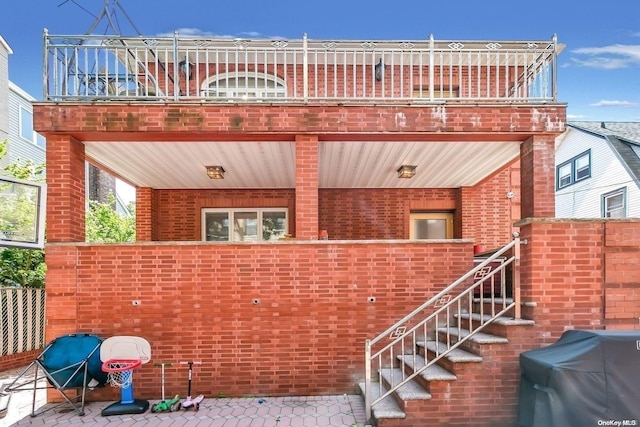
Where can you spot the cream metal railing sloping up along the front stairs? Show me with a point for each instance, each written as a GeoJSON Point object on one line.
{"type": "Point", "coordinates": [438, 312]}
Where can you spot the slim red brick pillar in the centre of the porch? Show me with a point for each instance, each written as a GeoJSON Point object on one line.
{"type": "Point", "coordinates": [306, 187]}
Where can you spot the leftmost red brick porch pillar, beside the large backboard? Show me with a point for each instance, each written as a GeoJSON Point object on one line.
{"type": "Point", "coordinates": [65, 189]}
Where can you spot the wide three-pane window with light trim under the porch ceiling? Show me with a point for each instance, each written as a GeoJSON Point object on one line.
{"type": "Point", "coordinates": [244, 225]}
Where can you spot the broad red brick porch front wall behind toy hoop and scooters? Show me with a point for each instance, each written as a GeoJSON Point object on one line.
{"type": "Point", "coordinates": [268, 319]}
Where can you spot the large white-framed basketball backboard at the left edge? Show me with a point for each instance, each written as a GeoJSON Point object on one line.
{"type": "Point", "coordinates": [22, 213]}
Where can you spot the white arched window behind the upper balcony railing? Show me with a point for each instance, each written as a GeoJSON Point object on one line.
{"type": "Point", "coordinates": [244, 85]}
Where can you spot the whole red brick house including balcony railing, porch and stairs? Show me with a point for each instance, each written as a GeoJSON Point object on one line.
{"type": "Point", "coordinates": [297, 198]}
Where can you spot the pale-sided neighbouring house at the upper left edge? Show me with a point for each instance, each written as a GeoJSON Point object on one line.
{"type": "Point", "coordinates": [16, 118]}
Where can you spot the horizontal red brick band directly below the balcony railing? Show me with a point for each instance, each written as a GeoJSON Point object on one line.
{"type": "Point", "coordinates": [114, 121]}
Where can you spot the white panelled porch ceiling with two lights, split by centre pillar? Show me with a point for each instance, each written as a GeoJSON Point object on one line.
{"type": "Point", "coordinates": [342, 164]}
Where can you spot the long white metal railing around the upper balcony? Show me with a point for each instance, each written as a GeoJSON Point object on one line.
{"type": "Point", "coordinates": [90, 67]}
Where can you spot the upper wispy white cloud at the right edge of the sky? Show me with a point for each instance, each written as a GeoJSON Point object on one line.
{"type": "Point", "coordinates": [608, 57]}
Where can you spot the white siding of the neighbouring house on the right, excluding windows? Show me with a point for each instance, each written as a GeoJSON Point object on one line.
{"type": "Point", "coordinates": [583, 199]}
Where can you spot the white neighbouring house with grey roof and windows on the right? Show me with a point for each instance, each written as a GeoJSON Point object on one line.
{"type": "Point", "coordinates": [598, 170]}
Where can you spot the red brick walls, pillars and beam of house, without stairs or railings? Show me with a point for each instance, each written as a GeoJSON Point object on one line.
{"type": "Point", "coordinates": [291, 317]}
